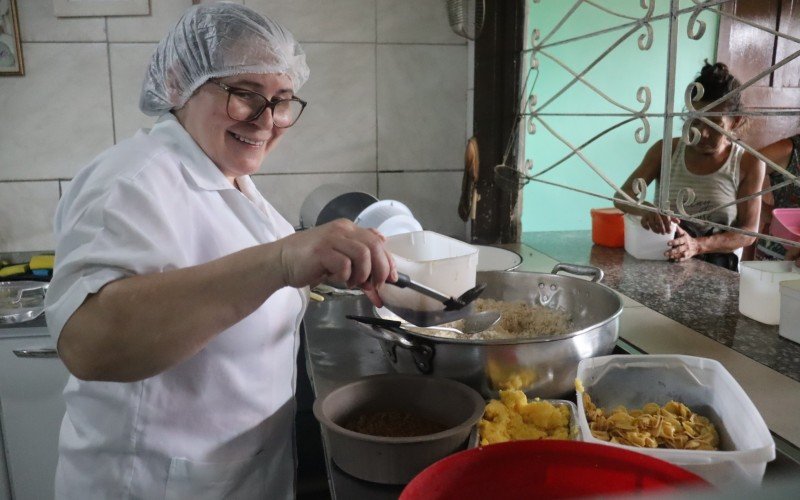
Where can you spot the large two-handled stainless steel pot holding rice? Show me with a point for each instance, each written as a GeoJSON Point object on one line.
{"type": "Point", "coordinates": [542, 367]}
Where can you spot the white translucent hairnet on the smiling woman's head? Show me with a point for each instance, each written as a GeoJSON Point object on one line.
{"type": "Point", "coordinates": [213, 41]}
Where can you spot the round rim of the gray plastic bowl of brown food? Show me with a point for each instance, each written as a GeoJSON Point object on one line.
{"type": "Point", "coordinates": [451, 384]}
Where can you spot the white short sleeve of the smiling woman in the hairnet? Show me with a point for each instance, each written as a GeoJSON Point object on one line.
{"type": "Point", "coordinates": [102, 238]}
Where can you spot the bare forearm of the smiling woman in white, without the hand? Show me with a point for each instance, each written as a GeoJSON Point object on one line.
{"type": "Point", "coordinates": [137, 327]}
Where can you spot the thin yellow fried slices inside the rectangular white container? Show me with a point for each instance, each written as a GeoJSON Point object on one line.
{"type": "Point", "coordinates": [672, 426]}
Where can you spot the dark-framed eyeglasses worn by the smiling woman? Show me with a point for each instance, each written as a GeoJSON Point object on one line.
{"type": "Point", "coordinates": [246, 105]}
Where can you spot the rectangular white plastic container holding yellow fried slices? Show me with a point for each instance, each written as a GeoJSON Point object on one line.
{"type": "Point", "coordinates": [704, 386]}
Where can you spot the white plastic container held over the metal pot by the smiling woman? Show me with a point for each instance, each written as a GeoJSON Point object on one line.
{"type": "Point", "coordinates": [432, 259]}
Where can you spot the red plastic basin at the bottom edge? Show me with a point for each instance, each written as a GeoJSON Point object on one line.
{"type": "Point", "coordinates": [546, 469]}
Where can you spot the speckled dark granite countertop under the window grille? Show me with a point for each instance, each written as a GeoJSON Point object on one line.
{"type": "Point", "coordinates": [696, 294]}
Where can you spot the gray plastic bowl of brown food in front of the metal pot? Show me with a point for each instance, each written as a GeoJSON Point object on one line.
{"type": "Point", "coordinates": [396, 460]}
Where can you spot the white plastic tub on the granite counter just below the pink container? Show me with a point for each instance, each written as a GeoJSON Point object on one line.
{"type": "Point", "coordinates": [759, 292]}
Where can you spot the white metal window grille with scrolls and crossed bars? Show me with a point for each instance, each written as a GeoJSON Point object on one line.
{"type": "Point", "coordinates": [536, 115]}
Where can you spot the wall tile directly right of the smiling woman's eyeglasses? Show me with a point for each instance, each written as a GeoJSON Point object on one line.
{"type": "Point", "coordinates": [336, 132]}
